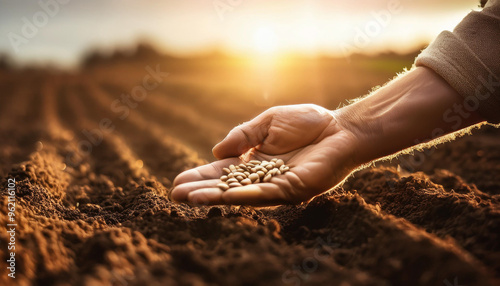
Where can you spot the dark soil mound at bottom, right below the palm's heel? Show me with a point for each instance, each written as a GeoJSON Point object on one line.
{"type": "Point", "coordinates": [369, 236]}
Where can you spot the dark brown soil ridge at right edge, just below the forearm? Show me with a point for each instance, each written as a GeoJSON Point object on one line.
{"type": "Point", "coordinates": [463, 213]}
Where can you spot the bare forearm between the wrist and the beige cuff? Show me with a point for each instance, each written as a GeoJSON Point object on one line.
{"type": "Point", "coordinates": [416, 107]}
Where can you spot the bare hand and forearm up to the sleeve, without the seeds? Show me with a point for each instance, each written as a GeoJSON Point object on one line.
{"type": "Point", "coordinates": [322, 147]}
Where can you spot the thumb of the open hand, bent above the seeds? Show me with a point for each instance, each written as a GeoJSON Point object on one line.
{"type": "Point", "coordinates": [243, 137]}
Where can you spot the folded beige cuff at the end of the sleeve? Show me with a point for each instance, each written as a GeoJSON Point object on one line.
{"type": "Point", "coordinates": [456, 63]}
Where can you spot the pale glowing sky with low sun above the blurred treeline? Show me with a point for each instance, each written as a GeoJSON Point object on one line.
{"type": "Point", "coordinates": [61, 31]}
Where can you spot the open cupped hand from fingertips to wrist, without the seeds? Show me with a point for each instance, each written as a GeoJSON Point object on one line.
{"type": "Point", "coordinates": [307, 137]}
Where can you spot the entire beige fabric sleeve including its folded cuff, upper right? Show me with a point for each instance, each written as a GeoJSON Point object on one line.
{"type": "Point", "coordinates": [469, 60]}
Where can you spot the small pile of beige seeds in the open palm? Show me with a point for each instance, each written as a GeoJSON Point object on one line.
{"type": "Point", "coordinates": [252, 172]}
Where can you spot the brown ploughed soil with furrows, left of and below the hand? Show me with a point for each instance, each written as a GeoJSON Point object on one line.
{"type": "Point", "coordinates": [108, 221]}
